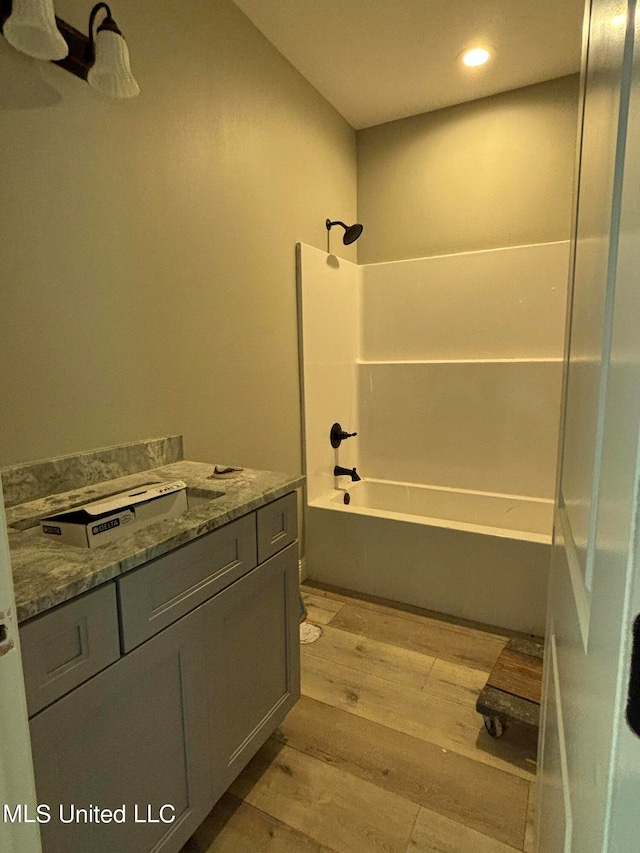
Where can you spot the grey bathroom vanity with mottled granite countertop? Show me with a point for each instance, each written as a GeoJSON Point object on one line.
{"type": "Point", "coordinates": [148, 691]}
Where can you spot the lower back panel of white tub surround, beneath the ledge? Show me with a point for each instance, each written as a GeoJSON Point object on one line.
{"type": "Point", "coordinates": [488, 425]}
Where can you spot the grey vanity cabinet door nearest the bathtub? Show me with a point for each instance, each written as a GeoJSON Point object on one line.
{"type": "Point", "coordinates": [254, 655]}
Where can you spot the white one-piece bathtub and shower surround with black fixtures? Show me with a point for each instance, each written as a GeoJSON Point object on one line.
{"type": "Point", "coordinates": [455, 394]}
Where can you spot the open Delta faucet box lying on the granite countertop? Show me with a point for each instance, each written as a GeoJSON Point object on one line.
{"type": "Point", "coordinates": [117, 516]}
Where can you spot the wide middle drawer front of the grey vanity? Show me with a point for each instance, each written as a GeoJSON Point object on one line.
{"type": "Point", "coordinates": [158, 593]}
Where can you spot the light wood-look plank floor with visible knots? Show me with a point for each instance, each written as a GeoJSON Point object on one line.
{"type": "Point", "coordinates": [384, 751]}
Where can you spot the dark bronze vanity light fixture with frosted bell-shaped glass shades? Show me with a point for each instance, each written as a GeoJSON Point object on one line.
{"type": "Point", "coordinates": [101, 59]}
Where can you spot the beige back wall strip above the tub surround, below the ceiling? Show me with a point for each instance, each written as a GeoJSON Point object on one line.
{"type": "Point", "coordinates": [493, 172]}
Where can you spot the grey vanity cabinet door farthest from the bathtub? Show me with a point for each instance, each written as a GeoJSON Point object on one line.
{"type": "Point", "coordinates": [134, 737]}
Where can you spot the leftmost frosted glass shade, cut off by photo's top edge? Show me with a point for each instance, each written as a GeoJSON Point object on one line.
{"type": "Point", "coordinates": [31, 28]}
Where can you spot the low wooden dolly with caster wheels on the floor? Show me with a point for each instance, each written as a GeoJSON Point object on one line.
{"type": "Point", "coordinates": [514, 688]}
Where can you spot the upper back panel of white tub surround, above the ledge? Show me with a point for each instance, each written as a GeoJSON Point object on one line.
{"type": "Point", "coordinates": [497, 304]}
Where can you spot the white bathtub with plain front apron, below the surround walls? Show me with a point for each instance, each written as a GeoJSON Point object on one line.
{"type": "Point", "coordinates": [475, 555]}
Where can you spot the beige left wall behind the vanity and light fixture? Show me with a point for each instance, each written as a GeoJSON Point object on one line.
{"type": "Point", "coordinates": [147, 247]}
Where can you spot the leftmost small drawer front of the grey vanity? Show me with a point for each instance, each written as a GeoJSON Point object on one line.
{"type": "Point", "coordinates": [65, 647]}
